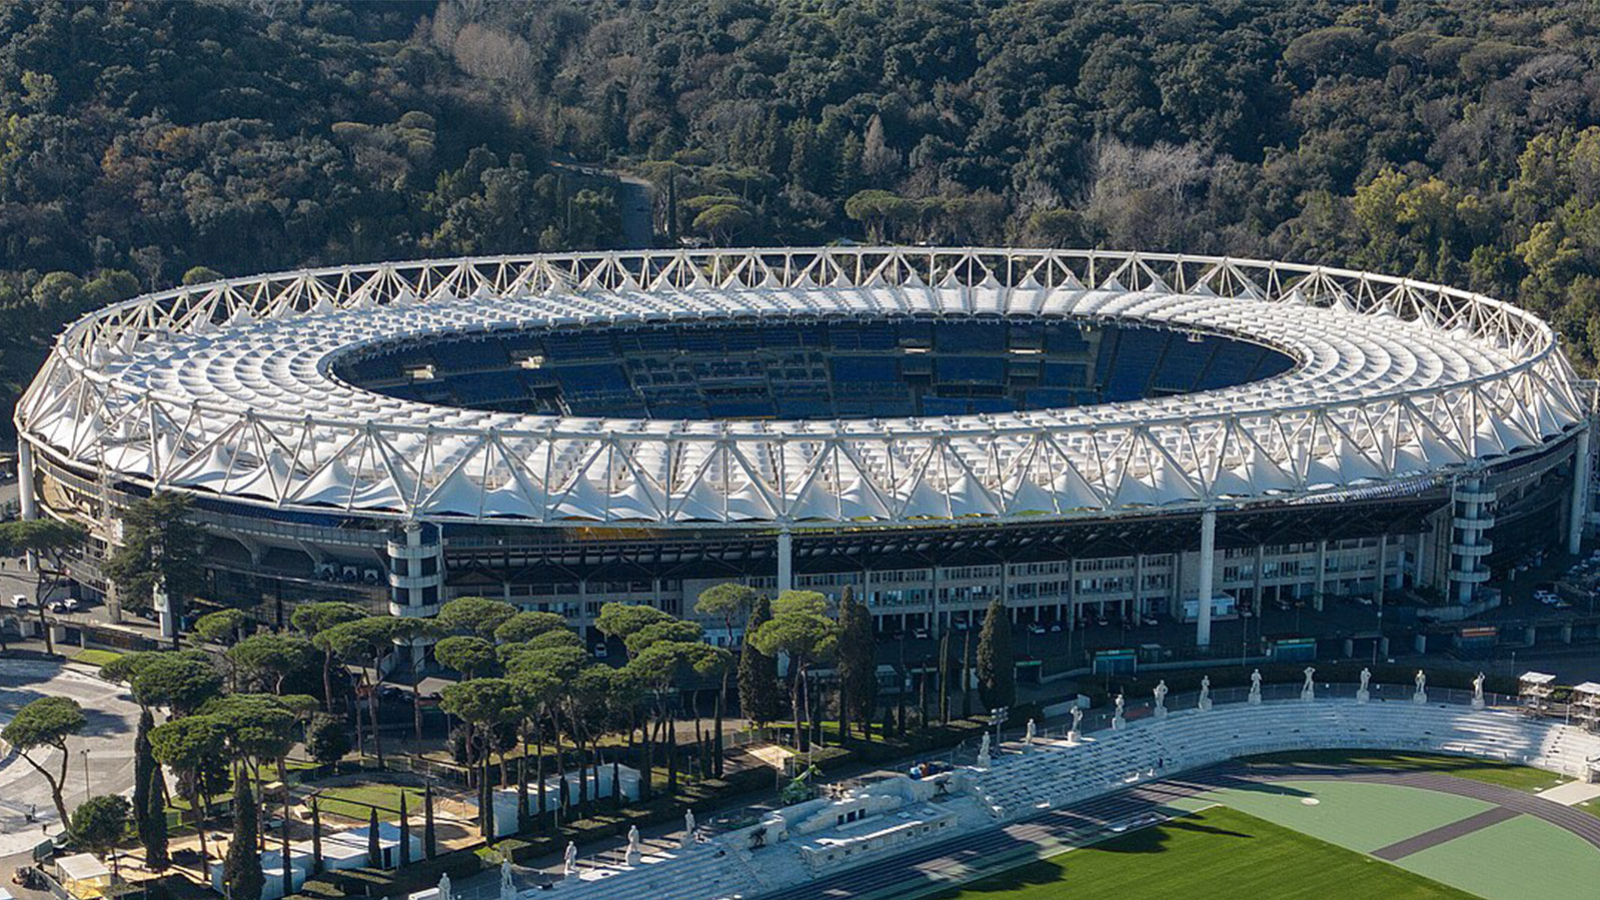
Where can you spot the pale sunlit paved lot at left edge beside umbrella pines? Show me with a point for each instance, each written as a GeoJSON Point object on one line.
{"type": "Point", "coordinates": [108, 769]}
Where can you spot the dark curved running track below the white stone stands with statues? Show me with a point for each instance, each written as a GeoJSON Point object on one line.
{"type": "Point", "coordinates": [972, 856]}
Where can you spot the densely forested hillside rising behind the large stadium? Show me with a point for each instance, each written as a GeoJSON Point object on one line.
{"type": "Point", "coordinates": [1449, 140]}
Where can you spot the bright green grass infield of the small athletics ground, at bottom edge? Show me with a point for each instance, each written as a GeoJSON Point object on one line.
{"type": "Point", "coordinates": [1217, 854]}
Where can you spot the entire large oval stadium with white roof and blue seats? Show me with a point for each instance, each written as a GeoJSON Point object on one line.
{"type": "Point", "coordinates": [1081, 432]}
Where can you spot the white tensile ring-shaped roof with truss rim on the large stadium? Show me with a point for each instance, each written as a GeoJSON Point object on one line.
{"type": "Point", "coordinates": [226, 390]}
